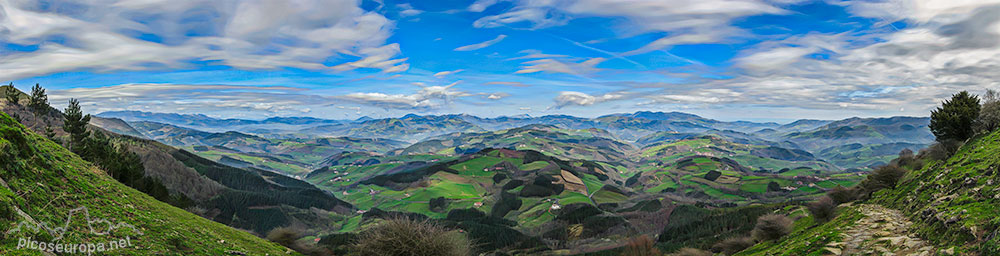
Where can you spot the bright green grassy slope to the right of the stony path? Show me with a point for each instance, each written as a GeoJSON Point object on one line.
{"type": "Point", "coordinates": [955, 202]}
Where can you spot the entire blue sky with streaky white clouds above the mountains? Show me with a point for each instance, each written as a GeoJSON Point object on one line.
{"type": "Point", "coordinates": [767, 60]}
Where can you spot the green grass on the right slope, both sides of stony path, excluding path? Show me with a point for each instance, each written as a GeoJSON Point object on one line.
{"type": "Point", "coordinates": [954, 204]}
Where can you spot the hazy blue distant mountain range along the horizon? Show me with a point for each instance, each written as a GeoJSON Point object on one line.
{"type": "Point", "coordinates": [629, 127]}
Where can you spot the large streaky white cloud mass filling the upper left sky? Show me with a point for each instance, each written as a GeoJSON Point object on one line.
{"type": "Point", "coordinates": [101, 35]}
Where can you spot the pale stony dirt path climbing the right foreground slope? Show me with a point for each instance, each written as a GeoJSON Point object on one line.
{"type": "Point", "coordinates": [882, 231]}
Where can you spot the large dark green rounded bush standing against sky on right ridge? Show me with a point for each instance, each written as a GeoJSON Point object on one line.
{"type": "Point", "coordinates": [954, 119]}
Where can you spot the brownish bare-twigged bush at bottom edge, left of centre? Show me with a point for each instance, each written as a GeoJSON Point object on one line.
{"type": "Point", "coordinates": [404, 236]}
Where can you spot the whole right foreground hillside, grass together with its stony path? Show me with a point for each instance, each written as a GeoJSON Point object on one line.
{"type": "Point", "coordinates": [946, 206]}
